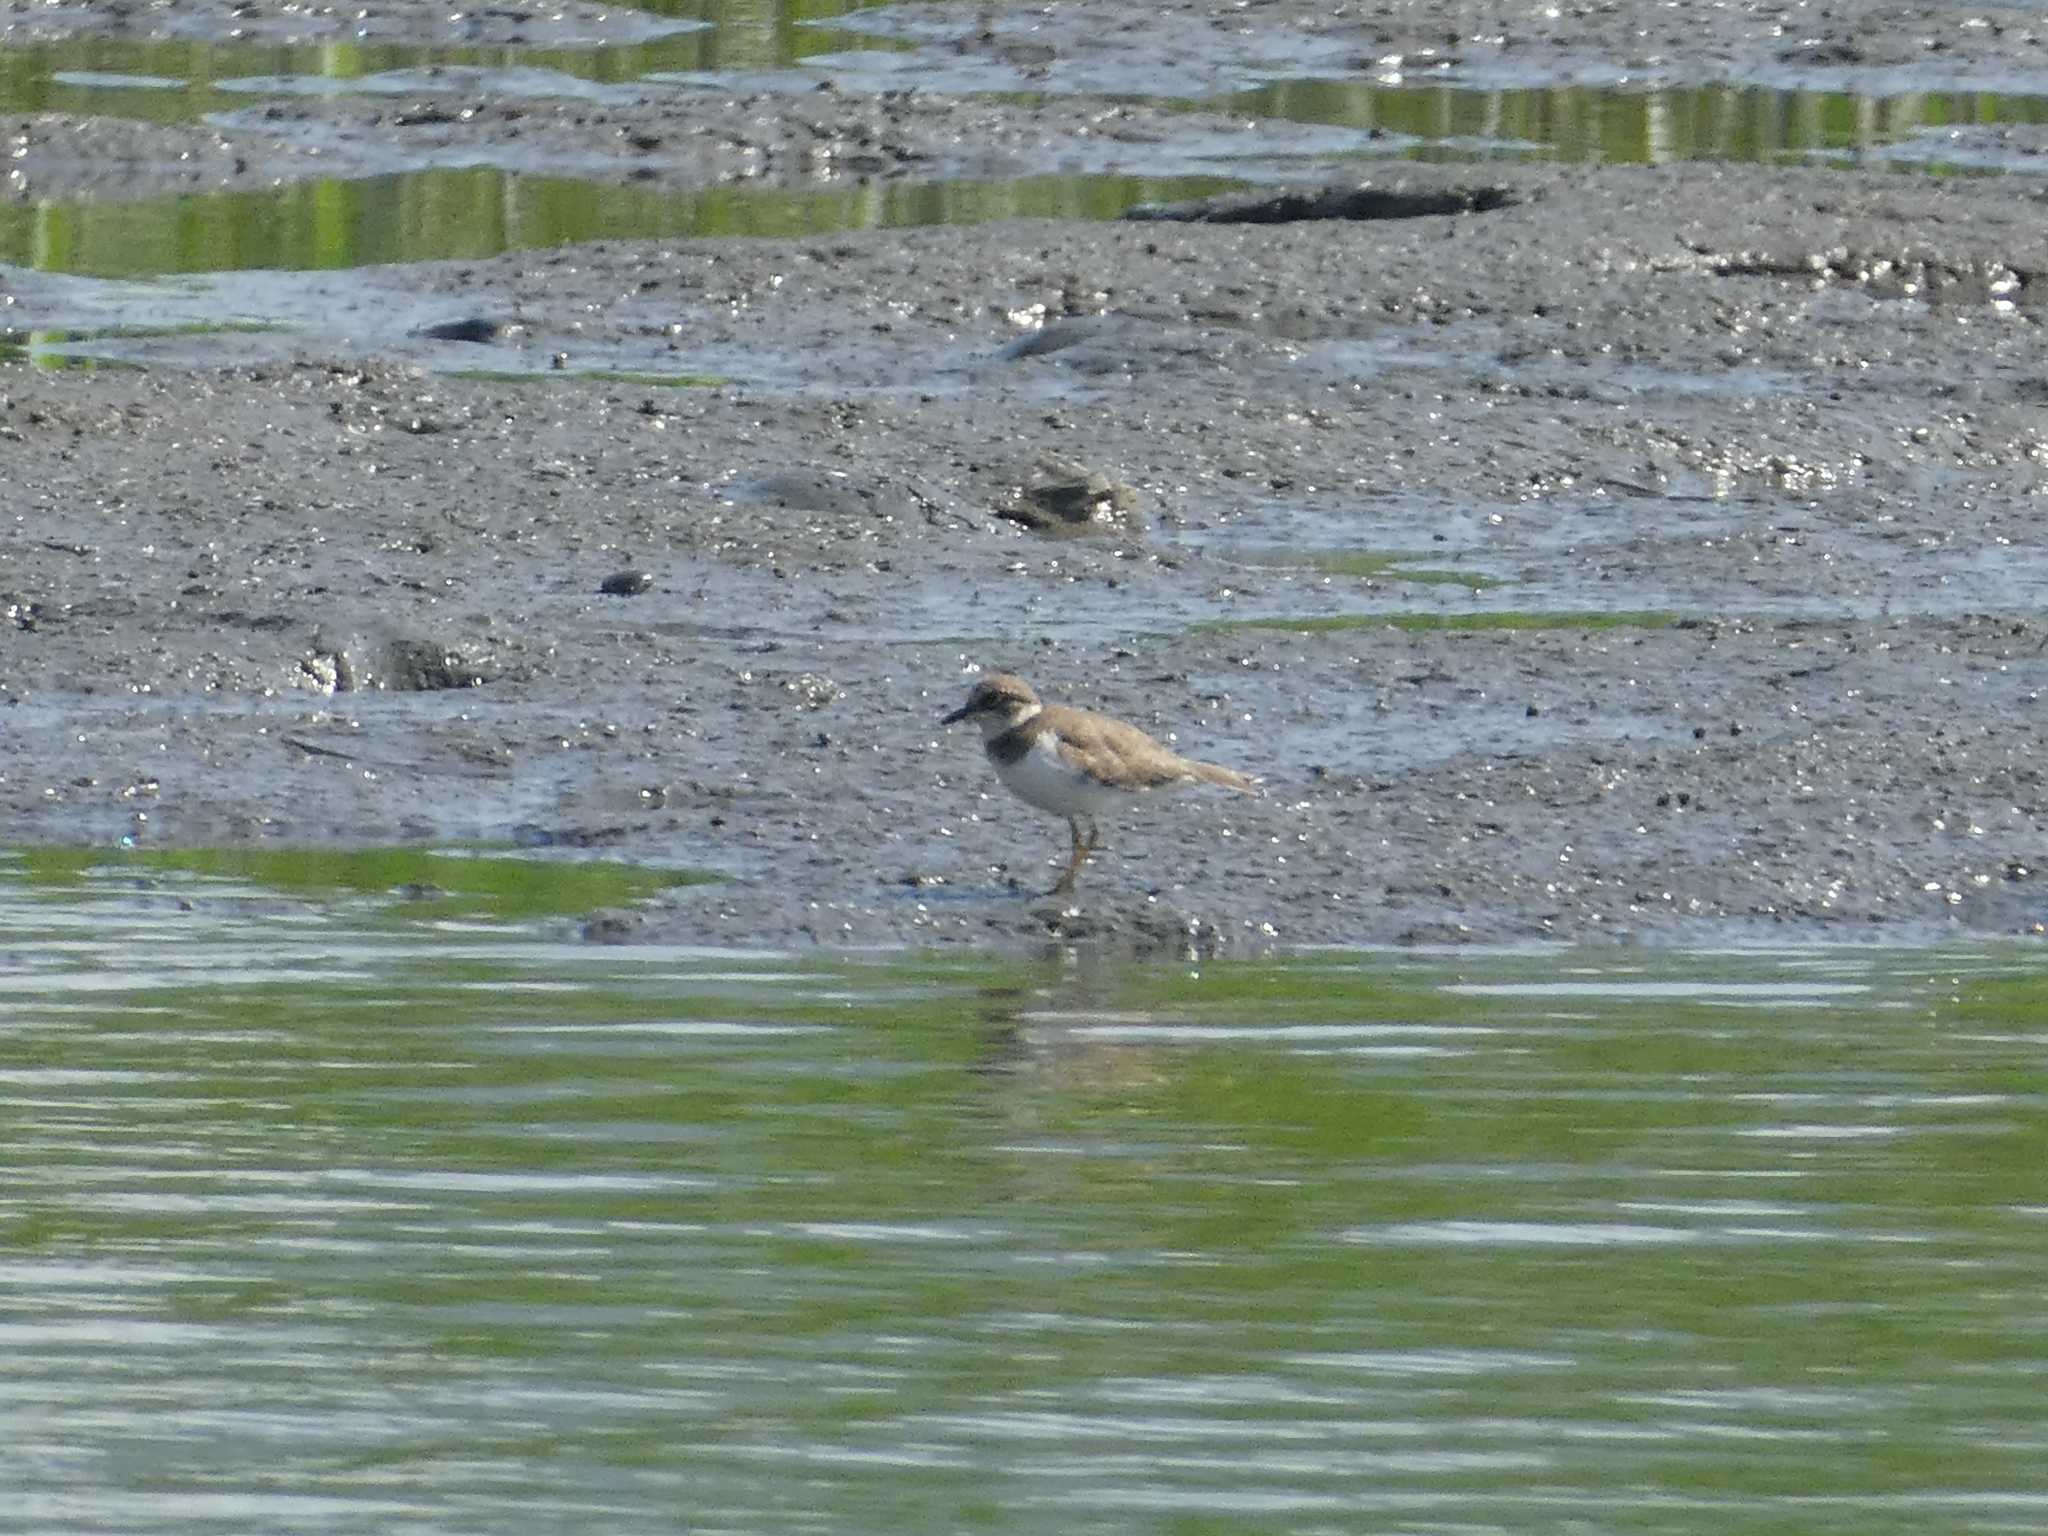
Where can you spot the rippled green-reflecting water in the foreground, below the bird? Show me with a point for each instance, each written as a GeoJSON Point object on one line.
{"type": "Point", "coordinates": [337, 1211]}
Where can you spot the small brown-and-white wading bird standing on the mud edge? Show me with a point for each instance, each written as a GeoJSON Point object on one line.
{"type": "Point", "coordinates": [1074, 763]}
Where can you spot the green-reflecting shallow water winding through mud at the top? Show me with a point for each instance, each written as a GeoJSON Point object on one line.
{"type": "Point", "coordinates": [503, 196]}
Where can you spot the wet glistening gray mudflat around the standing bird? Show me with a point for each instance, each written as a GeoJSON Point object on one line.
{"type": "Point", "coordinates": [1654, 554]}
